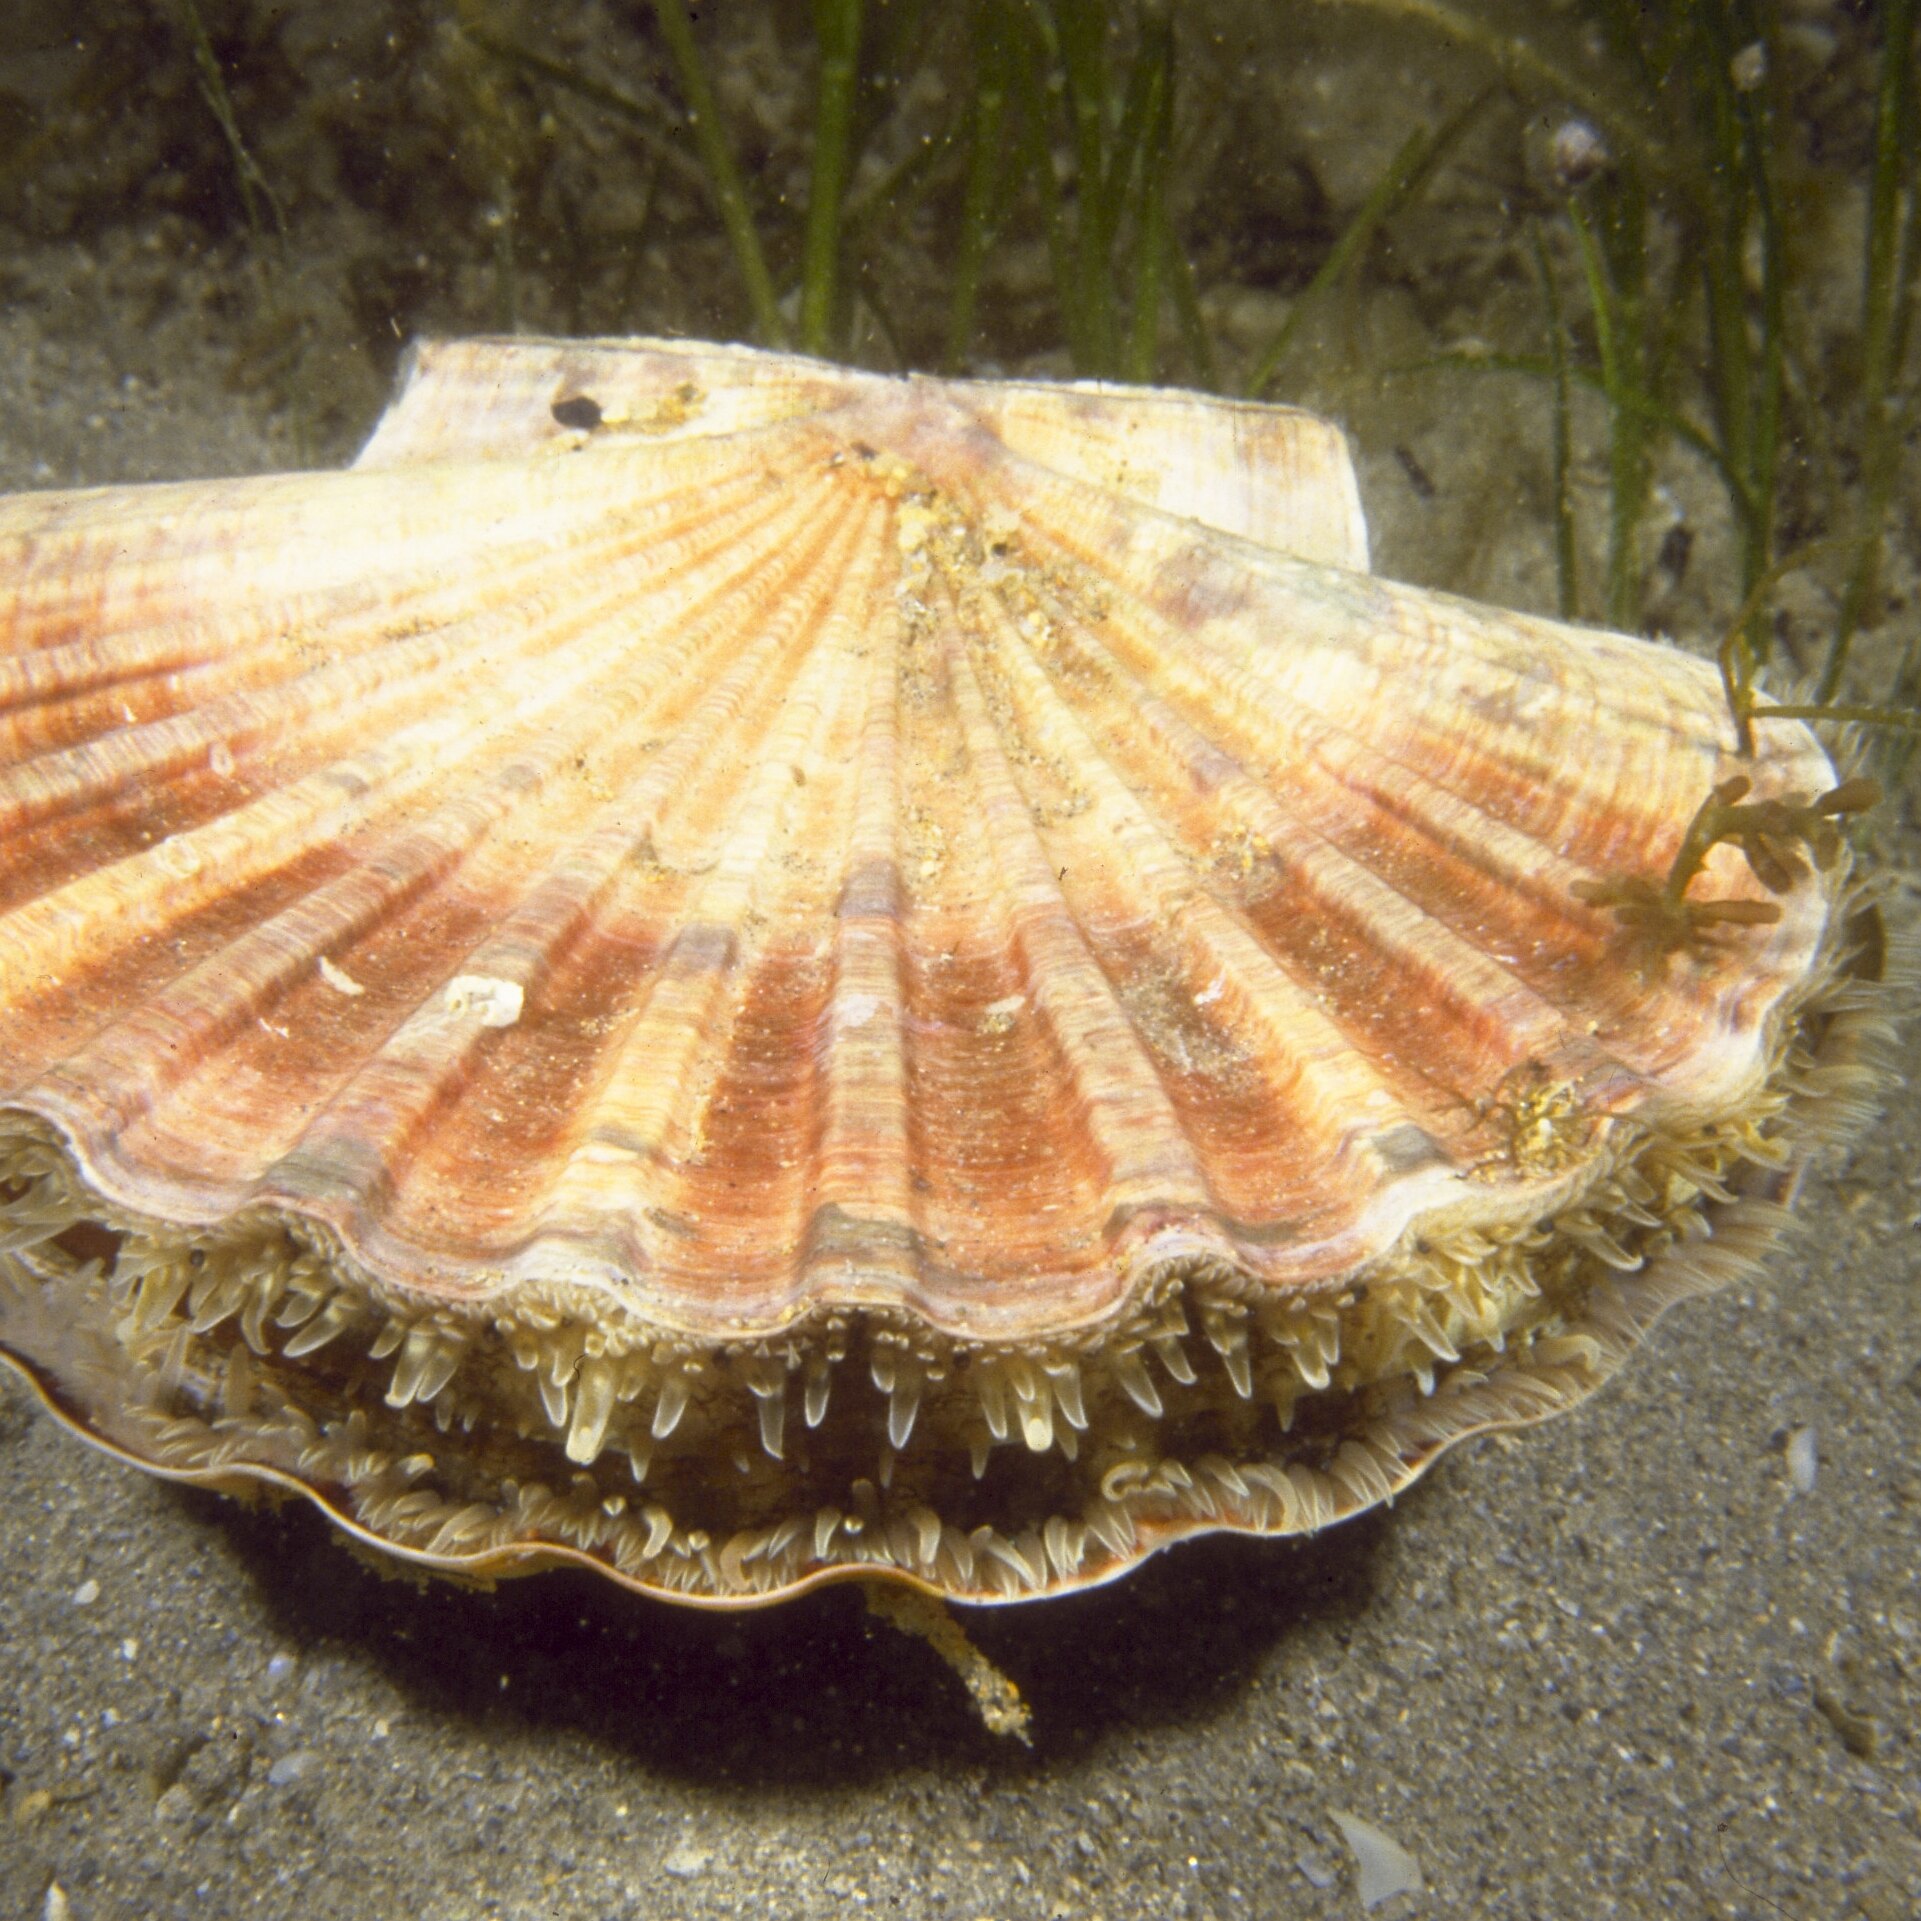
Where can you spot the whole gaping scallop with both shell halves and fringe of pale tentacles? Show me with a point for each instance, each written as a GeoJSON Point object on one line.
{"type": "Point", "coordinates": [748, 975]}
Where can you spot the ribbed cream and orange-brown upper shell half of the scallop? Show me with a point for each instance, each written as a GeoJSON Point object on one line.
{"type": "Point", "coordinates": [754, 840]}
